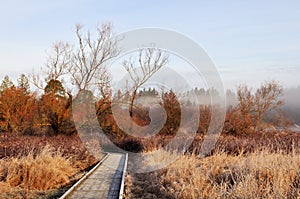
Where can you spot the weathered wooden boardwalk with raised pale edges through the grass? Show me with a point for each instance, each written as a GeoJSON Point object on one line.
{"type": "Point", "coordinates": [104, 181]}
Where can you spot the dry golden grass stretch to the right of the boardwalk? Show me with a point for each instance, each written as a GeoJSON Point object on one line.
{"type": "Point", "coordinates": [260, 174]}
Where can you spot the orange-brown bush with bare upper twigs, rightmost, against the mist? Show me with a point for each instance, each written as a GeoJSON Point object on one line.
{"type": "Point", "coordinates": [247, 116]}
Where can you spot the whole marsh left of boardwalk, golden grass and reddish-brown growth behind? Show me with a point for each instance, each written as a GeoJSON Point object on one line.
{"type": "Point", "coordinates": [37, 167]}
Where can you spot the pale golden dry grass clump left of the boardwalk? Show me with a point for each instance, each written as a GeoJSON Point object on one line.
{"type": "Point", "coordinates": [44, 171]}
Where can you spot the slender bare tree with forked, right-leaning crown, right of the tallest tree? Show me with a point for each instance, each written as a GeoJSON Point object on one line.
{"type": "Point", "coordinates": [150, 60]}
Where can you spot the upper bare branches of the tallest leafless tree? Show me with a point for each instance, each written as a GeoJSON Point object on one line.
{"type": "Point", "coordinates": [88, 60]}
